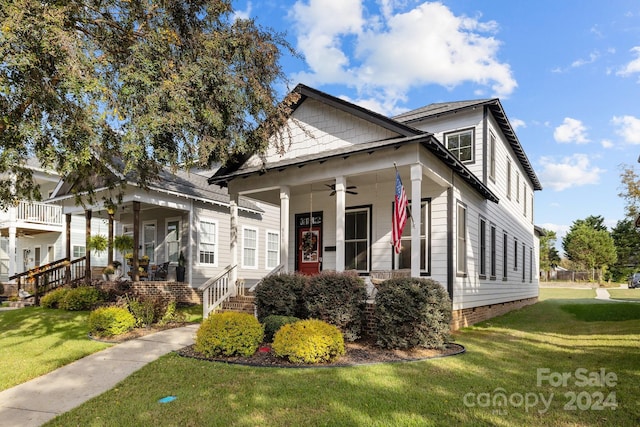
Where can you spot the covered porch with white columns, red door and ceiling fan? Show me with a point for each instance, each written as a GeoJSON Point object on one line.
{"type": "Point", "coordinates": [336, 211]}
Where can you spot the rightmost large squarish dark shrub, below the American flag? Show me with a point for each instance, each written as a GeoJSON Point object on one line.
{"type": "Point", "coordinates": [411, 313]}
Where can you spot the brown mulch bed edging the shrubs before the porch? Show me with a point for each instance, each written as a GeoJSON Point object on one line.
{"type": "Point", "coordinates": [357, 353]}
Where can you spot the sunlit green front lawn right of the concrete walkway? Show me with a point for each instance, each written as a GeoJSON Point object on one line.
{"type": "Point", "coordinates": [519, 356]}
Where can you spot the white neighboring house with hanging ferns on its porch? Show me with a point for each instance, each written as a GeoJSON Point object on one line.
{"type": "Point", "coordinates": [182, 213]}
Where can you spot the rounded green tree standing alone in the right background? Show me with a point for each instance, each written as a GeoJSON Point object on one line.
{"type": "Point", "coordinates": [589, 245]}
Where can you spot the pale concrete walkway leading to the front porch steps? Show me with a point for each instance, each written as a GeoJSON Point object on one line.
{"type": "Point", "coordinates": [37, 401]}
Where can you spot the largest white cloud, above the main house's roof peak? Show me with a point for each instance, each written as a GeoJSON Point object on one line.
{"type": "Point", "coordinates": [387, 54]}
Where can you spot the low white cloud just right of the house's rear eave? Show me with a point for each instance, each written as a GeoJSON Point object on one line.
{"type": "Point", "coordinates": [573, 171]}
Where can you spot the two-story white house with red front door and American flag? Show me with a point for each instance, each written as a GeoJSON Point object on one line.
{"type": "Point", "coordinates": [462, 161]}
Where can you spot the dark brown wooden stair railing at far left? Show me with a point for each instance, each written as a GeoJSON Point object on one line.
{"type": "Point", "coordinates": [48, 277]}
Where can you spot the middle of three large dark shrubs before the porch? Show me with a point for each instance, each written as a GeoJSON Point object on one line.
{"type": "Point", "coordinates": [339, 299]}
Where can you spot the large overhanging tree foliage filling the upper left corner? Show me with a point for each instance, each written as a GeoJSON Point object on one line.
{"type": "Point", "coordinates": [139, 84]}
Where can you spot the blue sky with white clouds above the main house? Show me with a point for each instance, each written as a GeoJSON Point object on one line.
{"type": "Point", "coordinates": [567, 73]}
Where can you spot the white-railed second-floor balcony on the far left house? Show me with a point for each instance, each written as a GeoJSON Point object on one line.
{"type": "Point", "coordinates": [32, 214]}
